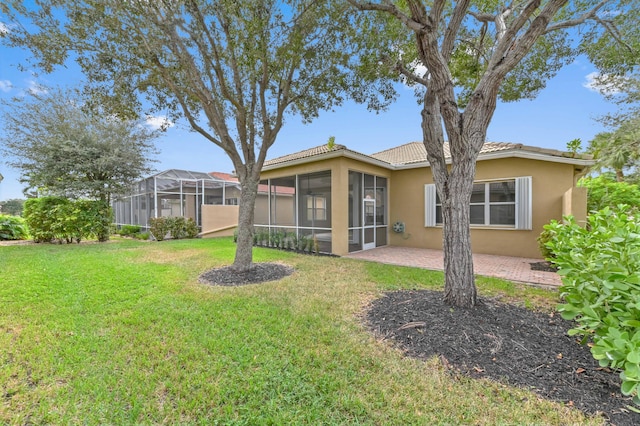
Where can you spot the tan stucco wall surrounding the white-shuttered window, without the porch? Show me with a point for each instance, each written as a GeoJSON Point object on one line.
{"type": "Point", "coordinates": [550, 181]}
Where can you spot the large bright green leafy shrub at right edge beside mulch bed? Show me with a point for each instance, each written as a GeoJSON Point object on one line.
{"type": "Point", "coordinates": [600, 269]}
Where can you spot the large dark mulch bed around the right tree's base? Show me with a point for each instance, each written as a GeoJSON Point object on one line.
{"type": "Point", "coordinates": [503, 342]}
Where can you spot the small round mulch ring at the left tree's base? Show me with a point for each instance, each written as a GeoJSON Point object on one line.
{"type": "Point", "coordinates": [259, 273]}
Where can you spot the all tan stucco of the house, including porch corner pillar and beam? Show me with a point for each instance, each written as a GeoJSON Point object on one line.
{"type": "Point", "coordinates": [550, 199]}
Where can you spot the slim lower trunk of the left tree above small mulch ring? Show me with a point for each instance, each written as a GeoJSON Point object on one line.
{"type": "Point", "coordinates": [244, 249]}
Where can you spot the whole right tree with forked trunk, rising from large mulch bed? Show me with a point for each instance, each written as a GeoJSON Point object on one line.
{"type": "Point", "coordinates": [474, 53]}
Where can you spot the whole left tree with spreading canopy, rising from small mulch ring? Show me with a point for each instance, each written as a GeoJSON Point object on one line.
{"type": "Point", "coordinates": [233, 69]}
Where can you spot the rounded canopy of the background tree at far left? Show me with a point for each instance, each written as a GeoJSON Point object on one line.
{"type": "Point", "coordinates": [62, 148]}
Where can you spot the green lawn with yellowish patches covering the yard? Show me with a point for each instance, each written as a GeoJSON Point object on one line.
{"type": "Point", "coordinates": [123, 333]}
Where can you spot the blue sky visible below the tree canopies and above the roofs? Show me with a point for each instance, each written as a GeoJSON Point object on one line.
{"type": "Point", "coordinates": [565, 110]}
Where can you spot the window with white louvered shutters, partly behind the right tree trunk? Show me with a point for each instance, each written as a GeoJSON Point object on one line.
{"type": "Point", "coordinates": [504, 203]}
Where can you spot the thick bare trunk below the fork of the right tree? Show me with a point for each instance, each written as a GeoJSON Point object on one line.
{"type": "Point", "coordinates": [459, 287]}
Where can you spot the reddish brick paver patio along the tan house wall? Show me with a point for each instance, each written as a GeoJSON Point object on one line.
{"type": "Point", "coordinates": [517, 269]}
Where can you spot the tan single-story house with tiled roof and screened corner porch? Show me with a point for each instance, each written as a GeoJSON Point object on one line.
{"type": "Point", "coordinates": [351, 201]}
